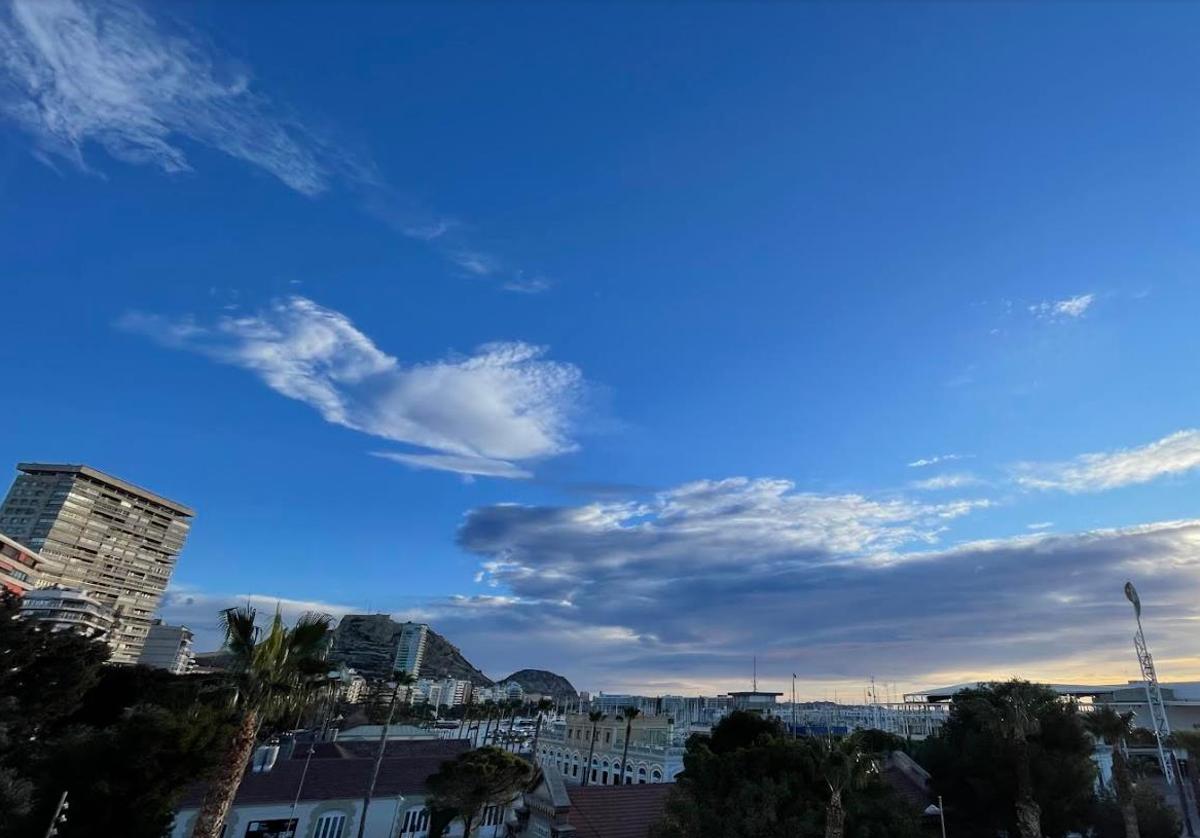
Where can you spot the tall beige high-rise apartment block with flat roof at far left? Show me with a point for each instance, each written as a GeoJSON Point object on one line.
{"type": "Point", "coordinates": [99, 534]}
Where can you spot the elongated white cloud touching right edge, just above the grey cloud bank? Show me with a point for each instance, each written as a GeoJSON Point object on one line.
{"type": "Point", "coordinates": [1175, 454]}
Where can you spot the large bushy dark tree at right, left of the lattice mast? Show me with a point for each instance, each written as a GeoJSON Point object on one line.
{"type": "Point", "coordinates": [1015, 757]}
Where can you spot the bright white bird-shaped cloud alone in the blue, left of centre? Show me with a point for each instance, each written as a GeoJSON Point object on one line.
{"type": "Point", "coordinates": [478, 415]}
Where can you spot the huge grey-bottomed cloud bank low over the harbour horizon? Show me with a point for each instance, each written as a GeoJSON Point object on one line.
{"type": "Point", "coordinates": [693, 582]}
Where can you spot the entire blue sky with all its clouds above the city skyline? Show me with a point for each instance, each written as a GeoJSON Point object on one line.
{"type": "Point", "coordinates": [607, 338]}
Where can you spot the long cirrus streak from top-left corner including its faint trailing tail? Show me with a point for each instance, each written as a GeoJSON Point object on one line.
{"type": "Point", "coordinates": [77, 75]}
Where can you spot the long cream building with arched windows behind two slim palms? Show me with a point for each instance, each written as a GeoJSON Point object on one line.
{"type": "Point", "coordinates": [655, 756]}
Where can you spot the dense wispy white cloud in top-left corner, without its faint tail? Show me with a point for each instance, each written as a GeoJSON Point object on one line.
{"type": "Point", "coordinates": [107, 75]}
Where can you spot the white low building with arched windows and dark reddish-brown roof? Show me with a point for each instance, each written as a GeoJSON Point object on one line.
{"type": "Point", "coordinates": [291, 795]}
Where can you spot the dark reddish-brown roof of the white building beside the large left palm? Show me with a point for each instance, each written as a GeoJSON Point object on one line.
{"type": "Point", "coordinates": [340, 775]}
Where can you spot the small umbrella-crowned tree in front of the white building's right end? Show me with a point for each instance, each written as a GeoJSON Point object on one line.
{"type": "Point", "coordinates": [476, 781]}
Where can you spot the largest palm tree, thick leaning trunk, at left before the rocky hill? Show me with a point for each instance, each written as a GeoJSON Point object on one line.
{"type": "Point", "coordinates": [271, 673]}
